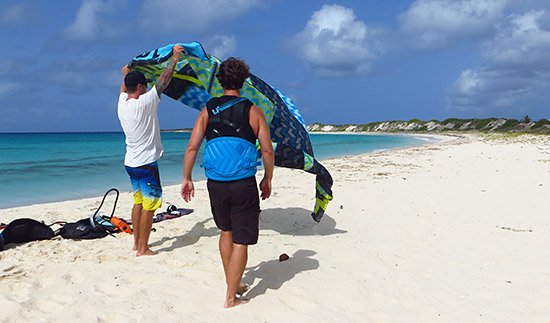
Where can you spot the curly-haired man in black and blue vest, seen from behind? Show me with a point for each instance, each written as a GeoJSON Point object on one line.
{"type": "Point", "coordinates": [232, 125]}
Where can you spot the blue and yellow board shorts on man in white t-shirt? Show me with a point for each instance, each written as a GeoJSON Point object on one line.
{"type": "Point", "coordinates": [146, 185]}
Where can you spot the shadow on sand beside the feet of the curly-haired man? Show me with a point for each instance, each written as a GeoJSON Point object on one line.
{"type": "Point", "coordinates": [273, 273]}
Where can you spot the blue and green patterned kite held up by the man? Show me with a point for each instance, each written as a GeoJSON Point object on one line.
{"type": "Point", "coordinates": [195, 82]}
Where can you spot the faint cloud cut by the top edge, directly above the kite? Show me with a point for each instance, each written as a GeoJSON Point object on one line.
{"type": "Point", "coordinates": [191, 15]}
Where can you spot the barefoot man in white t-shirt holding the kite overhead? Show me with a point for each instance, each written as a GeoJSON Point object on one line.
{"type": "Point", "coordinates": [137, 112]}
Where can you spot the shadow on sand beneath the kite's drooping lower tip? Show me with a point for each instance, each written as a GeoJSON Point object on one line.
{"type": "Point", "coordinates": [297, 222]}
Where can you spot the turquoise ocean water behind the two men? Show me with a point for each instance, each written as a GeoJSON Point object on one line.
{"type": "Point", "coordinates": [49, 167]}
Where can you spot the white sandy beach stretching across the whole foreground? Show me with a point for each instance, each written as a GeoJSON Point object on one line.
{"type": "Point", "coordinates": [452, 232]}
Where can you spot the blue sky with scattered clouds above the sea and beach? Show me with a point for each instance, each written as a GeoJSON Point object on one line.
{"type": "Point", "coordinates": [341, 62]}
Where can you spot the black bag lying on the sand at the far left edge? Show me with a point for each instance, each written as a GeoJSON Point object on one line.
{"type": "Point", "coordinates": [24, 230]}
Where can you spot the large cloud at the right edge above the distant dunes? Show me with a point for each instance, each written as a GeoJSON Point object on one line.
{"type": "Point", "coordinates": [517, 66]}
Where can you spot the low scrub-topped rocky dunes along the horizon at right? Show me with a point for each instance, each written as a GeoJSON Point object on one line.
{"type": "Point", "coordinates": [452, 124]}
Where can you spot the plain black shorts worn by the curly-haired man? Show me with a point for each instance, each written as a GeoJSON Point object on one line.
{"type": "Point", "coordinates": [236, 208]}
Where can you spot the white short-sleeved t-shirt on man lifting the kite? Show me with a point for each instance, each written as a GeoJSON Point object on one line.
{"type": "Point", "coordinates": [139, 120]}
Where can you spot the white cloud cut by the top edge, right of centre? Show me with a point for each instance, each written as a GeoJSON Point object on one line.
{"type": "Point", "coordinates": [435, 24]}
